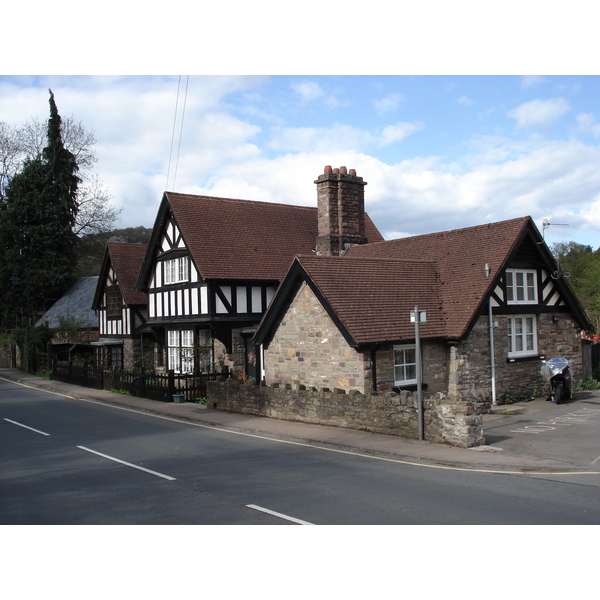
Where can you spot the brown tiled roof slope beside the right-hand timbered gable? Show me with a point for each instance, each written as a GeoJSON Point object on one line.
{"type": "Point", "coordinates": [460, 256]}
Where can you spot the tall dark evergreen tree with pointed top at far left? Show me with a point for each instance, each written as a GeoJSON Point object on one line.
{"type": "Point", "coordinates": [37, 216]}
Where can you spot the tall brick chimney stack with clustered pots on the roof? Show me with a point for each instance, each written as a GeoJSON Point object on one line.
{"type": "Point", "coordinates": [341, 211]}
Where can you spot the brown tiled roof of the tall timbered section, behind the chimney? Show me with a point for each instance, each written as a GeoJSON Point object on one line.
{"type": "Point", "coordinates": [243, 239]}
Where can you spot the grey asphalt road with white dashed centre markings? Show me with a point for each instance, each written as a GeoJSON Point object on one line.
{"type": "Point", "coordinates": [67, 461]}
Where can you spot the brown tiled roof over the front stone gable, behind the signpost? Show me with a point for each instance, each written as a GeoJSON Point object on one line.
{"type": "Point", "coordinates": [373, 297]}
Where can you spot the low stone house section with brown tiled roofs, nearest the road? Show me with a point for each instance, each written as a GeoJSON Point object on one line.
{"type": "Point", "coordinates": [495, 304]}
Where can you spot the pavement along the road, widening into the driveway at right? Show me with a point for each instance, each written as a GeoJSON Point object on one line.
{"type": "Point", "coordinates": [518, 436]}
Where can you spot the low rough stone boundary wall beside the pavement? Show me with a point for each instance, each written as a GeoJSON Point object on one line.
{"type": "Point", "coordinates": [445, 421]}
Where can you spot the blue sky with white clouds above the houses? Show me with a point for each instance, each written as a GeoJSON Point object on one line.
{"type": "Point", "coordinates": [438, 152]}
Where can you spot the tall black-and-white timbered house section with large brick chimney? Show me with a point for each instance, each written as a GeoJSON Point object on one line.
{"type": "Point", "coordinates": [213, 265]}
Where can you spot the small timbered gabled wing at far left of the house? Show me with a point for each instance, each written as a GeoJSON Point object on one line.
{"type": "Point", "coordinates": [122, 311]}
